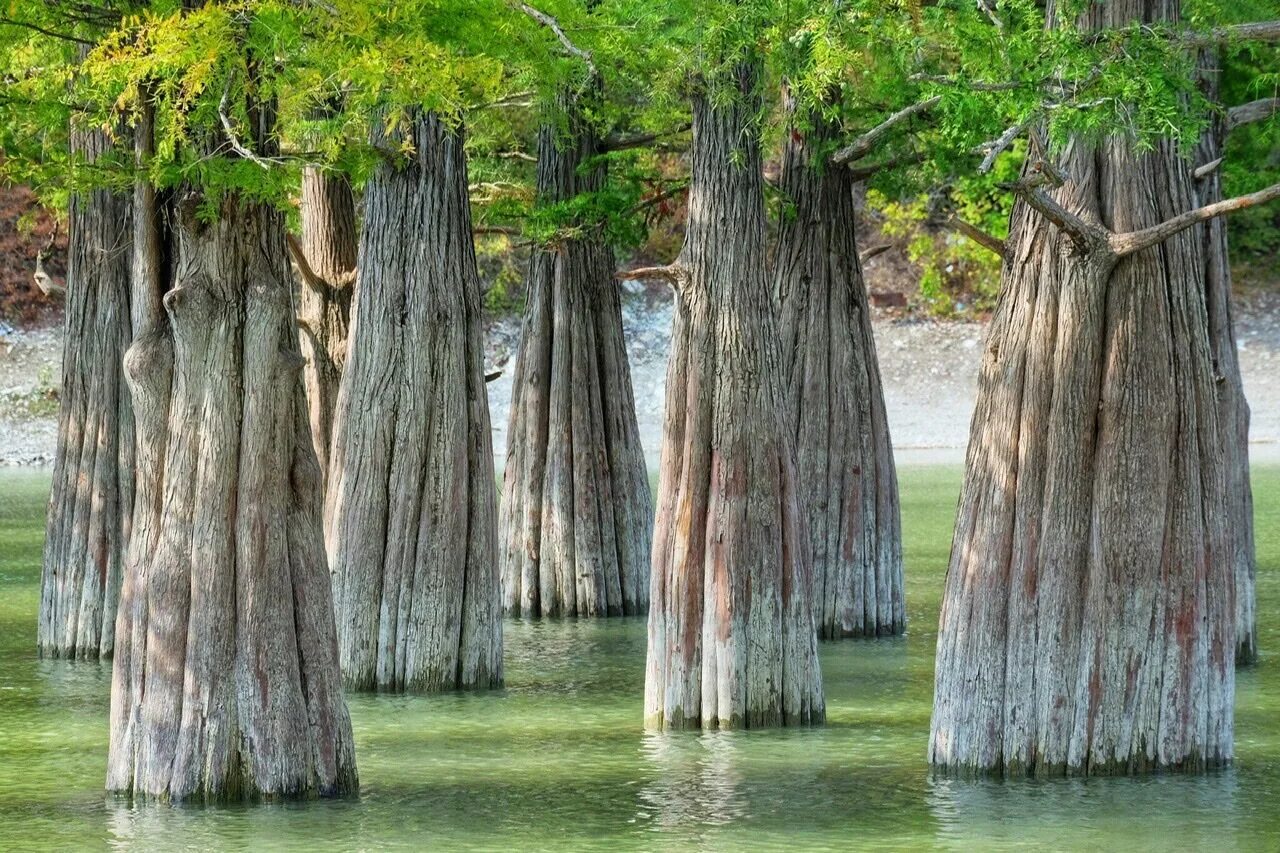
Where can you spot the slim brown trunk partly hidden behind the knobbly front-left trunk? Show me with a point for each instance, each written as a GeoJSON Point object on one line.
{"type": "Point", "coordinates": [324, 305]}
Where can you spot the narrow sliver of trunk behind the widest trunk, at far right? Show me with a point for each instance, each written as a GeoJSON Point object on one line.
{"type": "Point", "coordinates": [1233, 410]}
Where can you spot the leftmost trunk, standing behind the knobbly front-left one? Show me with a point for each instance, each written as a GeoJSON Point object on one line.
{"type": "Point", "coordinates": [92, 501]}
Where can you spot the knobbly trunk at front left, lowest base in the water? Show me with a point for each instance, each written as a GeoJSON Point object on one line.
{"type": "Point", "coordinates": [226, 683]}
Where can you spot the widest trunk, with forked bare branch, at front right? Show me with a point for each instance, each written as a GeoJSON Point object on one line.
{"type": "Point", "coordinates": [1089, 617]}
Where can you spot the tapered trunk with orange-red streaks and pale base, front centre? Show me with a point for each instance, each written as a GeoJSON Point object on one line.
{"type": "Point", "coordinates": [732, 638]}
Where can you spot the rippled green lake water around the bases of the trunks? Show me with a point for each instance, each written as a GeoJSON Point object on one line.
{"type": "Point", "coordinates": [559, 759]}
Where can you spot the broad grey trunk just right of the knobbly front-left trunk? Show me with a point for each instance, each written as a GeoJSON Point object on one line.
{"type": "Point", "coordinates": [410, 518]}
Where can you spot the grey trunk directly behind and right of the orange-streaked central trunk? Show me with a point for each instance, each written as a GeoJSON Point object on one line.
{"type": "Point", "coordinates": [844, 457]}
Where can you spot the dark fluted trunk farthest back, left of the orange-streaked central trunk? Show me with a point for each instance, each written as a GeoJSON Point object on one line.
{"type": "Point", "coordinates": [578, 516]}
